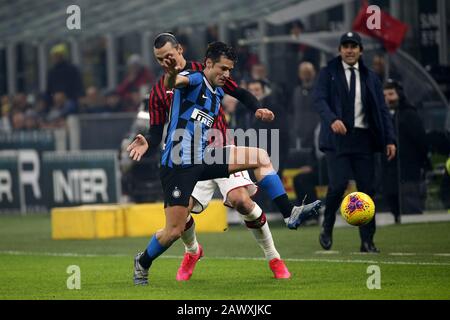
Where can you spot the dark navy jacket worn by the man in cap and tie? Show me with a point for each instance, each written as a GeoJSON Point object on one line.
{"type": "Point", "coordinates": [331, 98]}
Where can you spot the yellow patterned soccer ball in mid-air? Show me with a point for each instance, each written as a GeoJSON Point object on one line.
{"type": "Point", "coordinates": [357, 208]}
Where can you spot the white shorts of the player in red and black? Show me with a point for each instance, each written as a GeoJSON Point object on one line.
{"type": "Point", "coordinates": [204, 190]}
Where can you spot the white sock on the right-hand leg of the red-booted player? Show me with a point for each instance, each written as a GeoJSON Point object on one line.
{"type": "Point", "coordinates": [262, 235]}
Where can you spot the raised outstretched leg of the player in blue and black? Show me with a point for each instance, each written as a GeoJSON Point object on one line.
{"type": "Point", "coordinates": [242, 158]}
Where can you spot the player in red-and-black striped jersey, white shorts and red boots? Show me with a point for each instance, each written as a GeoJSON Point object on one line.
{"type": "Point", "coordinates": [236, 189]}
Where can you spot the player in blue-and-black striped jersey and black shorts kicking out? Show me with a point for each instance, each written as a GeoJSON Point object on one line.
{"type": "Point", "coordinates": [206, 109]}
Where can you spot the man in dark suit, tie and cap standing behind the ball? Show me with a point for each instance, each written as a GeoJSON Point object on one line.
{"type": "Point", "coordinates": [355, 123]}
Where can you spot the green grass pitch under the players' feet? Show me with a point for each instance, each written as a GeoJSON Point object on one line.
{"type": "Point", "coordinates": [414, 264]}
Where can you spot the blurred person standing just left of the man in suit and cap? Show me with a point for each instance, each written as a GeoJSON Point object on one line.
{"type": "Point", "coordinates": [303, 116]}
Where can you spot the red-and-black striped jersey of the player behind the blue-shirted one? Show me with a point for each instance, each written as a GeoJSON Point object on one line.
{"type": "Point", "coordinates": [160, 101]}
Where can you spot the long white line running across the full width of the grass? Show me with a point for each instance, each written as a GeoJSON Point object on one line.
{"type": "Point", "coordinates": [54, 254]}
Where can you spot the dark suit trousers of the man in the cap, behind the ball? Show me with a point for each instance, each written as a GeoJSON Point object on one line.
{"type": "Point", "coordinates": [354, 158]}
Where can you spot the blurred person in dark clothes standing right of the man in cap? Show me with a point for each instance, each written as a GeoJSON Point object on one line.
{"type": "Point", "coordinates": [408, 196]}
